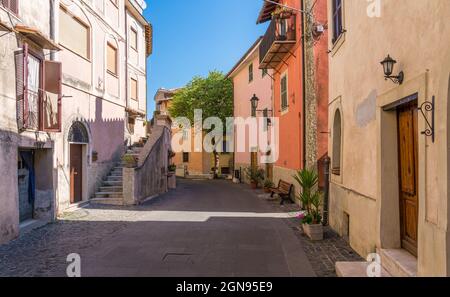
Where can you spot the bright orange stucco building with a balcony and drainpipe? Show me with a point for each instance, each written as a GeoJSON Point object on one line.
{"type": "Point", "coordinates": [282, 52]}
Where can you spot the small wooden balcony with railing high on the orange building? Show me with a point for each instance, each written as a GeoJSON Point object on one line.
{"type": "Point", "coordinates": [278, 41]}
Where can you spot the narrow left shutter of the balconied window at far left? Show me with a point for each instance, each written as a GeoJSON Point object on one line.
{"type": "Point", "coordinates": [21, 61]}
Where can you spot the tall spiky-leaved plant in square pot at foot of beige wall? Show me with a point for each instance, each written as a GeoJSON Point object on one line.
{"type": "Point", "coordinates": [311, 199]}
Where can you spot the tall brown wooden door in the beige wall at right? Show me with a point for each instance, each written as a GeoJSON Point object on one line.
{"type": "Point", "coordinates": [408, 173]}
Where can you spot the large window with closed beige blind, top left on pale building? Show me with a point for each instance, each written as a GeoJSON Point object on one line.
{"type": "Point", "coordinates": [74, 34]}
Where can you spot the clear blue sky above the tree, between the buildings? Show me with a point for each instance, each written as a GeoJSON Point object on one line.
{"type": "Point", "coordinates": [193, 37]}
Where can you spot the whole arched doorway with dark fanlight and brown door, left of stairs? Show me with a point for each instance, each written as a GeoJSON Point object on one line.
{"type": "Point", "coordinates": [78, 140]}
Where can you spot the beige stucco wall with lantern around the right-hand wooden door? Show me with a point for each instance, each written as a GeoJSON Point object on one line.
{"type": "Point", "coordinates": [417, 34]}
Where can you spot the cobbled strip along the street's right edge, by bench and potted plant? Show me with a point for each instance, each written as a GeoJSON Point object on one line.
{"type": "Point", "coordinates": [322, 254]}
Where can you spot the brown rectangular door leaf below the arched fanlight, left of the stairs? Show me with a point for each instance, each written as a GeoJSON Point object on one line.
{"type": "Point", "coordinates": [76, 173]}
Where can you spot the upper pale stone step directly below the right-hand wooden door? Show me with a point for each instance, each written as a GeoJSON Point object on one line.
{"type": "Point", "coordinates": [398, 262]}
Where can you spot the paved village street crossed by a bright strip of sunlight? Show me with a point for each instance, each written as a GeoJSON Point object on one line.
{"type": "Point", "coordinates": [204, 228]}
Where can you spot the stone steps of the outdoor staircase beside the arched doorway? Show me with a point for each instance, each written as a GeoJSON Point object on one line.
{"type": "Point", "coordinates": [111, 190]}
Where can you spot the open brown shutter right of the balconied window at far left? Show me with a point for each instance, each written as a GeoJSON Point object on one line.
{"type": "Point", "coordinates": [51, 115]}
